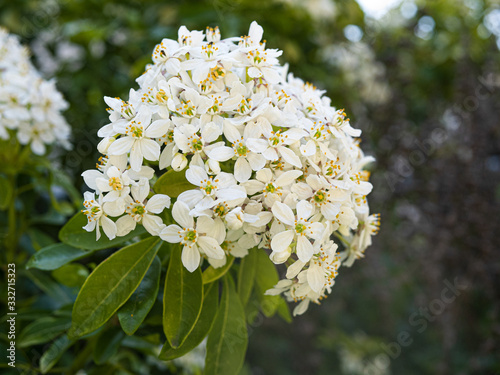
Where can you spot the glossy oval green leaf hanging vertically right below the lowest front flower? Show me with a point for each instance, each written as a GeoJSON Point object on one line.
{"type": "Point", "coordinates": [182, 299]}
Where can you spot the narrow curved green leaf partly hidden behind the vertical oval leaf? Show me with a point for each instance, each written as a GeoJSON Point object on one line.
{"type": "Point", "coordinates": [201, 328]}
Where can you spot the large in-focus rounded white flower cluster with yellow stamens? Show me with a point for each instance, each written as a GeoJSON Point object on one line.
{"type": "Point", "coordinates": [272, 163]}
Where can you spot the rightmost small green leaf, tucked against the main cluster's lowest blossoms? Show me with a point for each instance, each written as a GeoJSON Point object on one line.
{"type": "Point", "coordinates": [266, 278]}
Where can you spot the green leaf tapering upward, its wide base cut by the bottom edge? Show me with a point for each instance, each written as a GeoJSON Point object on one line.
{"type": "Point", "coordinates": [228, 339]}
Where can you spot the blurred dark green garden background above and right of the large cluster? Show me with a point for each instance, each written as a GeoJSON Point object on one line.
{"type": "Point", "coordinates": [421, 79]}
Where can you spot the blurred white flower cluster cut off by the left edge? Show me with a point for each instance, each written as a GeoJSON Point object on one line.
{"type": "Point", "coordinates": [30, 107]}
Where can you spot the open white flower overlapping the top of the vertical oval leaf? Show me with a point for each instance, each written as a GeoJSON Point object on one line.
{"type": "Point", "coordinates": [195, 238]}
